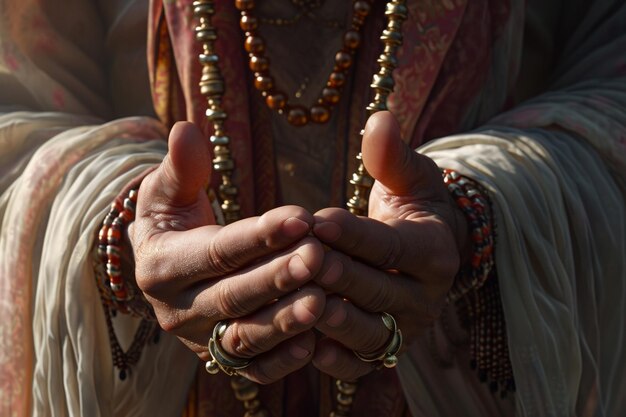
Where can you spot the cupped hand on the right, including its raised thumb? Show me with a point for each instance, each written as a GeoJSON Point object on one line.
{"type": "Point", "coordinates": [402, 259]}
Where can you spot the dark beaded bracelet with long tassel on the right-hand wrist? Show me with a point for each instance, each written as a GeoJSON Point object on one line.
{"type": "Point", "coordinates": [476, 290]}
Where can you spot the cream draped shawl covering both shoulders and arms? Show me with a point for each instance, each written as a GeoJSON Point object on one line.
{"type": "Point", "coordinates": [555, 169]}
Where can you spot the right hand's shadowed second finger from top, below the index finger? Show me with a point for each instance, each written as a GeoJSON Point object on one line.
{"type": "Point", "coordinates": [375, 290]}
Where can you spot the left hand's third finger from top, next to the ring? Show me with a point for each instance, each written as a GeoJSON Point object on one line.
{"type": "Point", "coordinates": [260, 332]}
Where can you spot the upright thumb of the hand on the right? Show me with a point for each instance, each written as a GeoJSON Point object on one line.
{"type": "Point", "coordinates": [392, 162]}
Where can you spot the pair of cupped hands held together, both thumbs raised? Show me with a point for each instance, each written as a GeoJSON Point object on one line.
{"type": "Point", "coordinates": [278, 277]}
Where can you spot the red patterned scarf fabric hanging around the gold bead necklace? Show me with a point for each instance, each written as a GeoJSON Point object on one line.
{"type": "Point", "coordinates": [434, 61]}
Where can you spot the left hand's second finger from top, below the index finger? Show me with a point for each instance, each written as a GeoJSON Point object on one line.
{"type": "Point", "coordinates": [192, 312]}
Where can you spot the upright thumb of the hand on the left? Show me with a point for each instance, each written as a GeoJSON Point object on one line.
{"type": "Point", "coordinates": [186, 168]}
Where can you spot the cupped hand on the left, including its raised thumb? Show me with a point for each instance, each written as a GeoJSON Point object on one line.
{"type": "Point", "coordinates": [255, 272]}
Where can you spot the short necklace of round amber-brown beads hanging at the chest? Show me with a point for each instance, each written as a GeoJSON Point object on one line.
{"type": "Point", "coordinates": [277, 100]}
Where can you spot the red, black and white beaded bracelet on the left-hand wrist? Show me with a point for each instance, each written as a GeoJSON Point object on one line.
{"type": "Point", "coordinates": [118, 295]}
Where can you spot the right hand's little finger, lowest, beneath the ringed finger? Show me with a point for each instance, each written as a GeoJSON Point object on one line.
{"type": "Point", "coordinates": [332, 358]}
